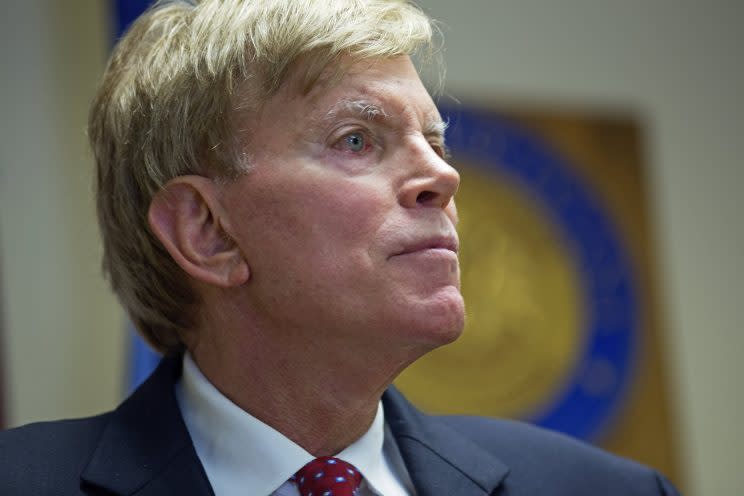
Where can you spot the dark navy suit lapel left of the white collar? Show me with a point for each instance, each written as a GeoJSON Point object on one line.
{"type": "Point", "coordinates": [145, 449]}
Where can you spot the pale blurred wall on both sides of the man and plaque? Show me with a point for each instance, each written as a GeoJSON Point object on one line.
{"type": "Point", "coordinates": [675, 64]}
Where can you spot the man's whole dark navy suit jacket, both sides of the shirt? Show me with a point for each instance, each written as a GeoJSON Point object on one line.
{"type": "Point", "coordinates": [143, 448]}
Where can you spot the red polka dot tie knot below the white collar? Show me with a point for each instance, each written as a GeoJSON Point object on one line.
{"type": "Point", "coordinates": [328, 476]}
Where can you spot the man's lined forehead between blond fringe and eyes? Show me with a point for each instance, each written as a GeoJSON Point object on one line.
{"type": "Point", "coordinates": [386, 90]}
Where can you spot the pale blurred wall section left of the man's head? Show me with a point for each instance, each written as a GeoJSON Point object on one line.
{"type": "Point", "coordinates": [63, 327]}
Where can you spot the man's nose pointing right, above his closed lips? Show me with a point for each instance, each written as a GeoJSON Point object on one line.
{"type": "Point", "coordinates": [432, 181]}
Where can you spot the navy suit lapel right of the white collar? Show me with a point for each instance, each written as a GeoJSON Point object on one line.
{"type": "Point", "coordinates": [438, 459]}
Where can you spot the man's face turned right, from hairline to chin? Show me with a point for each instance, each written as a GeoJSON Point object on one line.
{"type": "Point", "coordinates": [347, 218]}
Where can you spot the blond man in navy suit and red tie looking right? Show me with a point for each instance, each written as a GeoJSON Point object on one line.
{"type": "Point", "coordinates": [278, 219]}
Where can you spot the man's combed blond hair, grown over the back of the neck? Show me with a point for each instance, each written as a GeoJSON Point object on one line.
{"type": "Point", "coordinates": [167, 104]}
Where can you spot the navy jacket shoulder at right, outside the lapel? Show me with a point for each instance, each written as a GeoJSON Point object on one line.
{"type": "Point", "coordinates": [547, 460]}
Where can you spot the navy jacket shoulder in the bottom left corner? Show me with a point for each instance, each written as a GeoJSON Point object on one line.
{"type": "Point", "coordinates": [47, 458]}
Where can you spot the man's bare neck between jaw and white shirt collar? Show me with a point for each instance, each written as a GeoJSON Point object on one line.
{"type": "Point", "coordinates": [318, 397]}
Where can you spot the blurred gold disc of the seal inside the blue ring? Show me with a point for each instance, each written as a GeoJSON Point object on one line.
{"type": "Point", "coordinates": [524, 315]}
